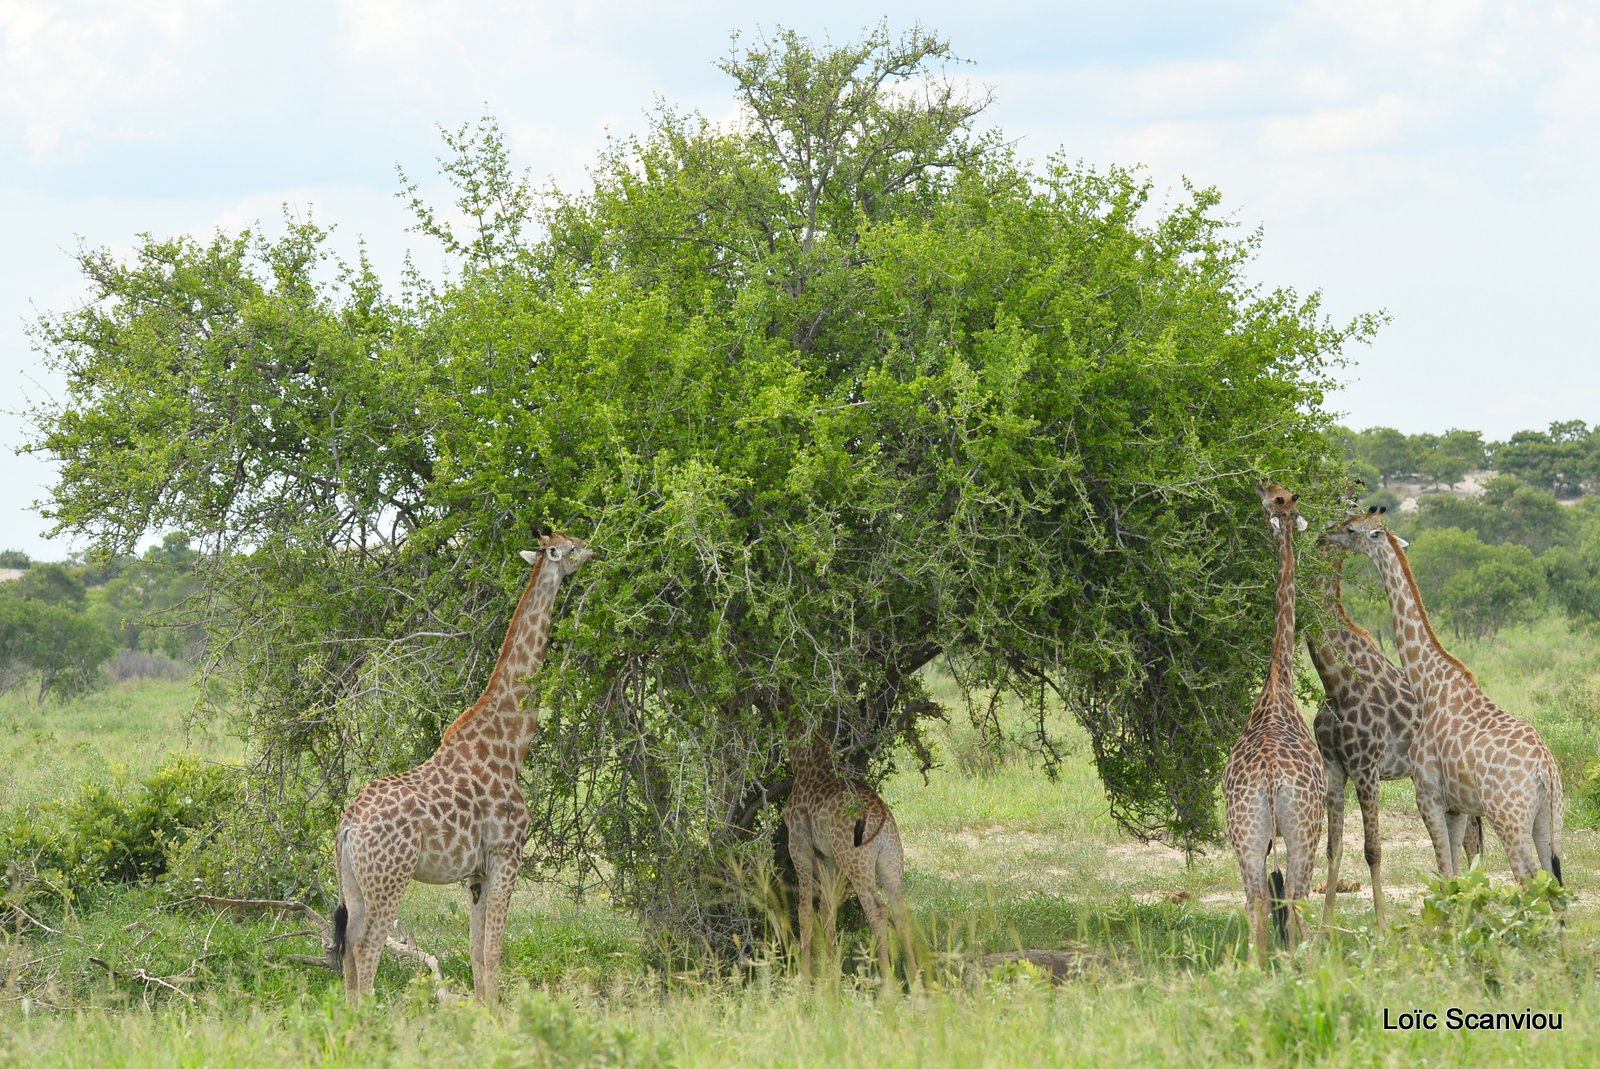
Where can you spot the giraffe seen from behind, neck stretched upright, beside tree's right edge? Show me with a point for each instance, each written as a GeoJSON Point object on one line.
{"type": "Point", "coordinates": [1274, 782]}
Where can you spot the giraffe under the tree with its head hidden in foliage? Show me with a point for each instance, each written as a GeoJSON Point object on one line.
{"type": "Point", "coordinates": [842, 831]}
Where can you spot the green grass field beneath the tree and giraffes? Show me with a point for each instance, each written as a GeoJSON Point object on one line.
{"type": "Point", "coordinates": [998, 860]}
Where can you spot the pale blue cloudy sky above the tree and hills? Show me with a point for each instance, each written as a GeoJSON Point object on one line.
{"type": "Point", "coordinates": [1434, 159]}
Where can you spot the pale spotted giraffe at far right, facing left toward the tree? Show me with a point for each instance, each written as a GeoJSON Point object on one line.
{"type": "Point", "coordinates": [1470, 758]}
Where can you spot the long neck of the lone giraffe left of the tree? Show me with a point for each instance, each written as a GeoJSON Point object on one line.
{"type": "Point", "coordinates": [500, 713]}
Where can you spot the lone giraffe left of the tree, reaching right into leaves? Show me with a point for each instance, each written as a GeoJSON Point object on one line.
{"type": "Point", "coordinates": [460, 815]}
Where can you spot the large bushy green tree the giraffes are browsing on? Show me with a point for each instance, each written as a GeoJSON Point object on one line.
{"type": "Point", "coordinates": [839, 391]}
